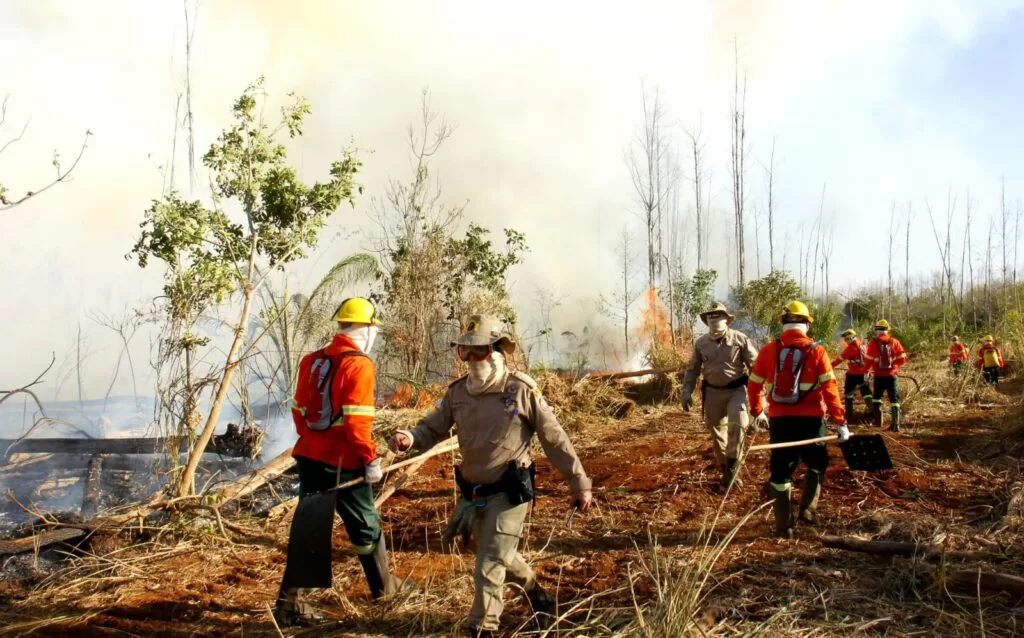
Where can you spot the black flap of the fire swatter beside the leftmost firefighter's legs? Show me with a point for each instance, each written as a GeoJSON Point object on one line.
{"type": "Point", "coordinates": [310, 542]}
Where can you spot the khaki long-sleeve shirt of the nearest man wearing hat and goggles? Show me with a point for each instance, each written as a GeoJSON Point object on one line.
{"type": "Point", "coordinates": [497, 428]}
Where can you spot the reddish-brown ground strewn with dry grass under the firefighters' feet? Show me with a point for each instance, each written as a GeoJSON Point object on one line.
{"type": "Point", "coordinates": [659, 515]}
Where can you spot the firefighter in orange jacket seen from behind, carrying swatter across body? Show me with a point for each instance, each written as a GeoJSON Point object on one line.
{"type": "Point", "coordinates": [802, 390]}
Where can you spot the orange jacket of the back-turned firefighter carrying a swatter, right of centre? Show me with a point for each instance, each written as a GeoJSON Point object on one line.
{"type": "Point", "coordinates": [817, 379]}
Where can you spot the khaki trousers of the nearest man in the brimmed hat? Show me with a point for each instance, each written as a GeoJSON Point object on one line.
{"type": "Point", "coordinates": [498, 530]}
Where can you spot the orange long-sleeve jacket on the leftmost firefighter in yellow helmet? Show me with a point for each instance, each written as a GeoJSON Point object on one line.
{"type": "Point", "coordinates": [349, 443]}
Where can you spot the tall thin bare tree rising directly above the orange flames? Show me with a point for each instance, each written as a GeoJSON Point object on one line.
{"type": "Point", "coordinates": [646, 160]}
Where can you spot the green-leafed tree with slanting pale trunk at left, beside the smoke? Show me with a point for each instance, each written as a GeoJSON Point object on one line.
{"type": "Point", "coordinates": [212, 254]}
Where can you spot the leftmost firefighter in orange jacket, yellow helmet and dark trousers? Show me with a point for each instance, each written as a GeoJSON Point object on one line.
{"type": "Point", "coordinates": [334, 413]}
